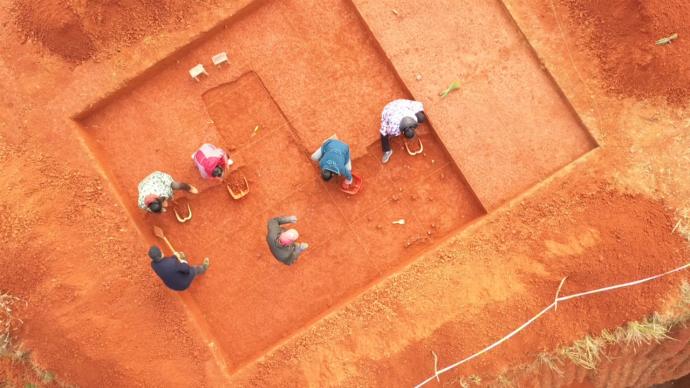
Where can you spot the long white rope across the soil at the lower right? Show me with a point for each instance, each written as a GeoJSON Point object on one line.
{"type": "Point", "coordinates": [542, 312]}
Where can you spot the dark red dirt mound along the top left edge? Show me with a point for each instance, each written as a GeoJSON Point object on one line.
{"type": "Point", "coordinates": [77, 30]}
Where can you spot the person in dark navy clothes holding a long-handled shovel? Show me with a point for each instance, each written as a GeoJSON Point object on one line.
{"type": "Point", "coordinates": [174, 270]}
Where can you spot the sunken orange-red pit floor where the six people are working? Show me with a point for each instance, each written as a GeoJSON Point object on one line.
{"type": "Point", "coordinates": [271, 128]}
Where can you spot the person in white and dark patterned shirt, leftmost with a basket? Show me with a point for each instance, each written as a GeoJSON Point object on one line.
{"type": "Point", "coordinates": [157, 188]}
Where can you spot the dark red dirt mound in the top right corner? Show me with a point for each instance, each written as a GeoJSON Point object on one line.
{"type": "Point", "coordinates": [622, 36]}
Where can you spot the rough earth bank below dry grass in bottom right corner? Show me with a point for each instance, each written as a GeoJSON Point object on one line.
{"type": "Point", "coordinates": [621, 366]}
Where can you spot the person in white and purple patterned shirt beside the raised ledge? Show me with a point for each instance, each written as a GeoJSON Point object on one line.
{"type": "Point", "coordinates": [399, 116]}
